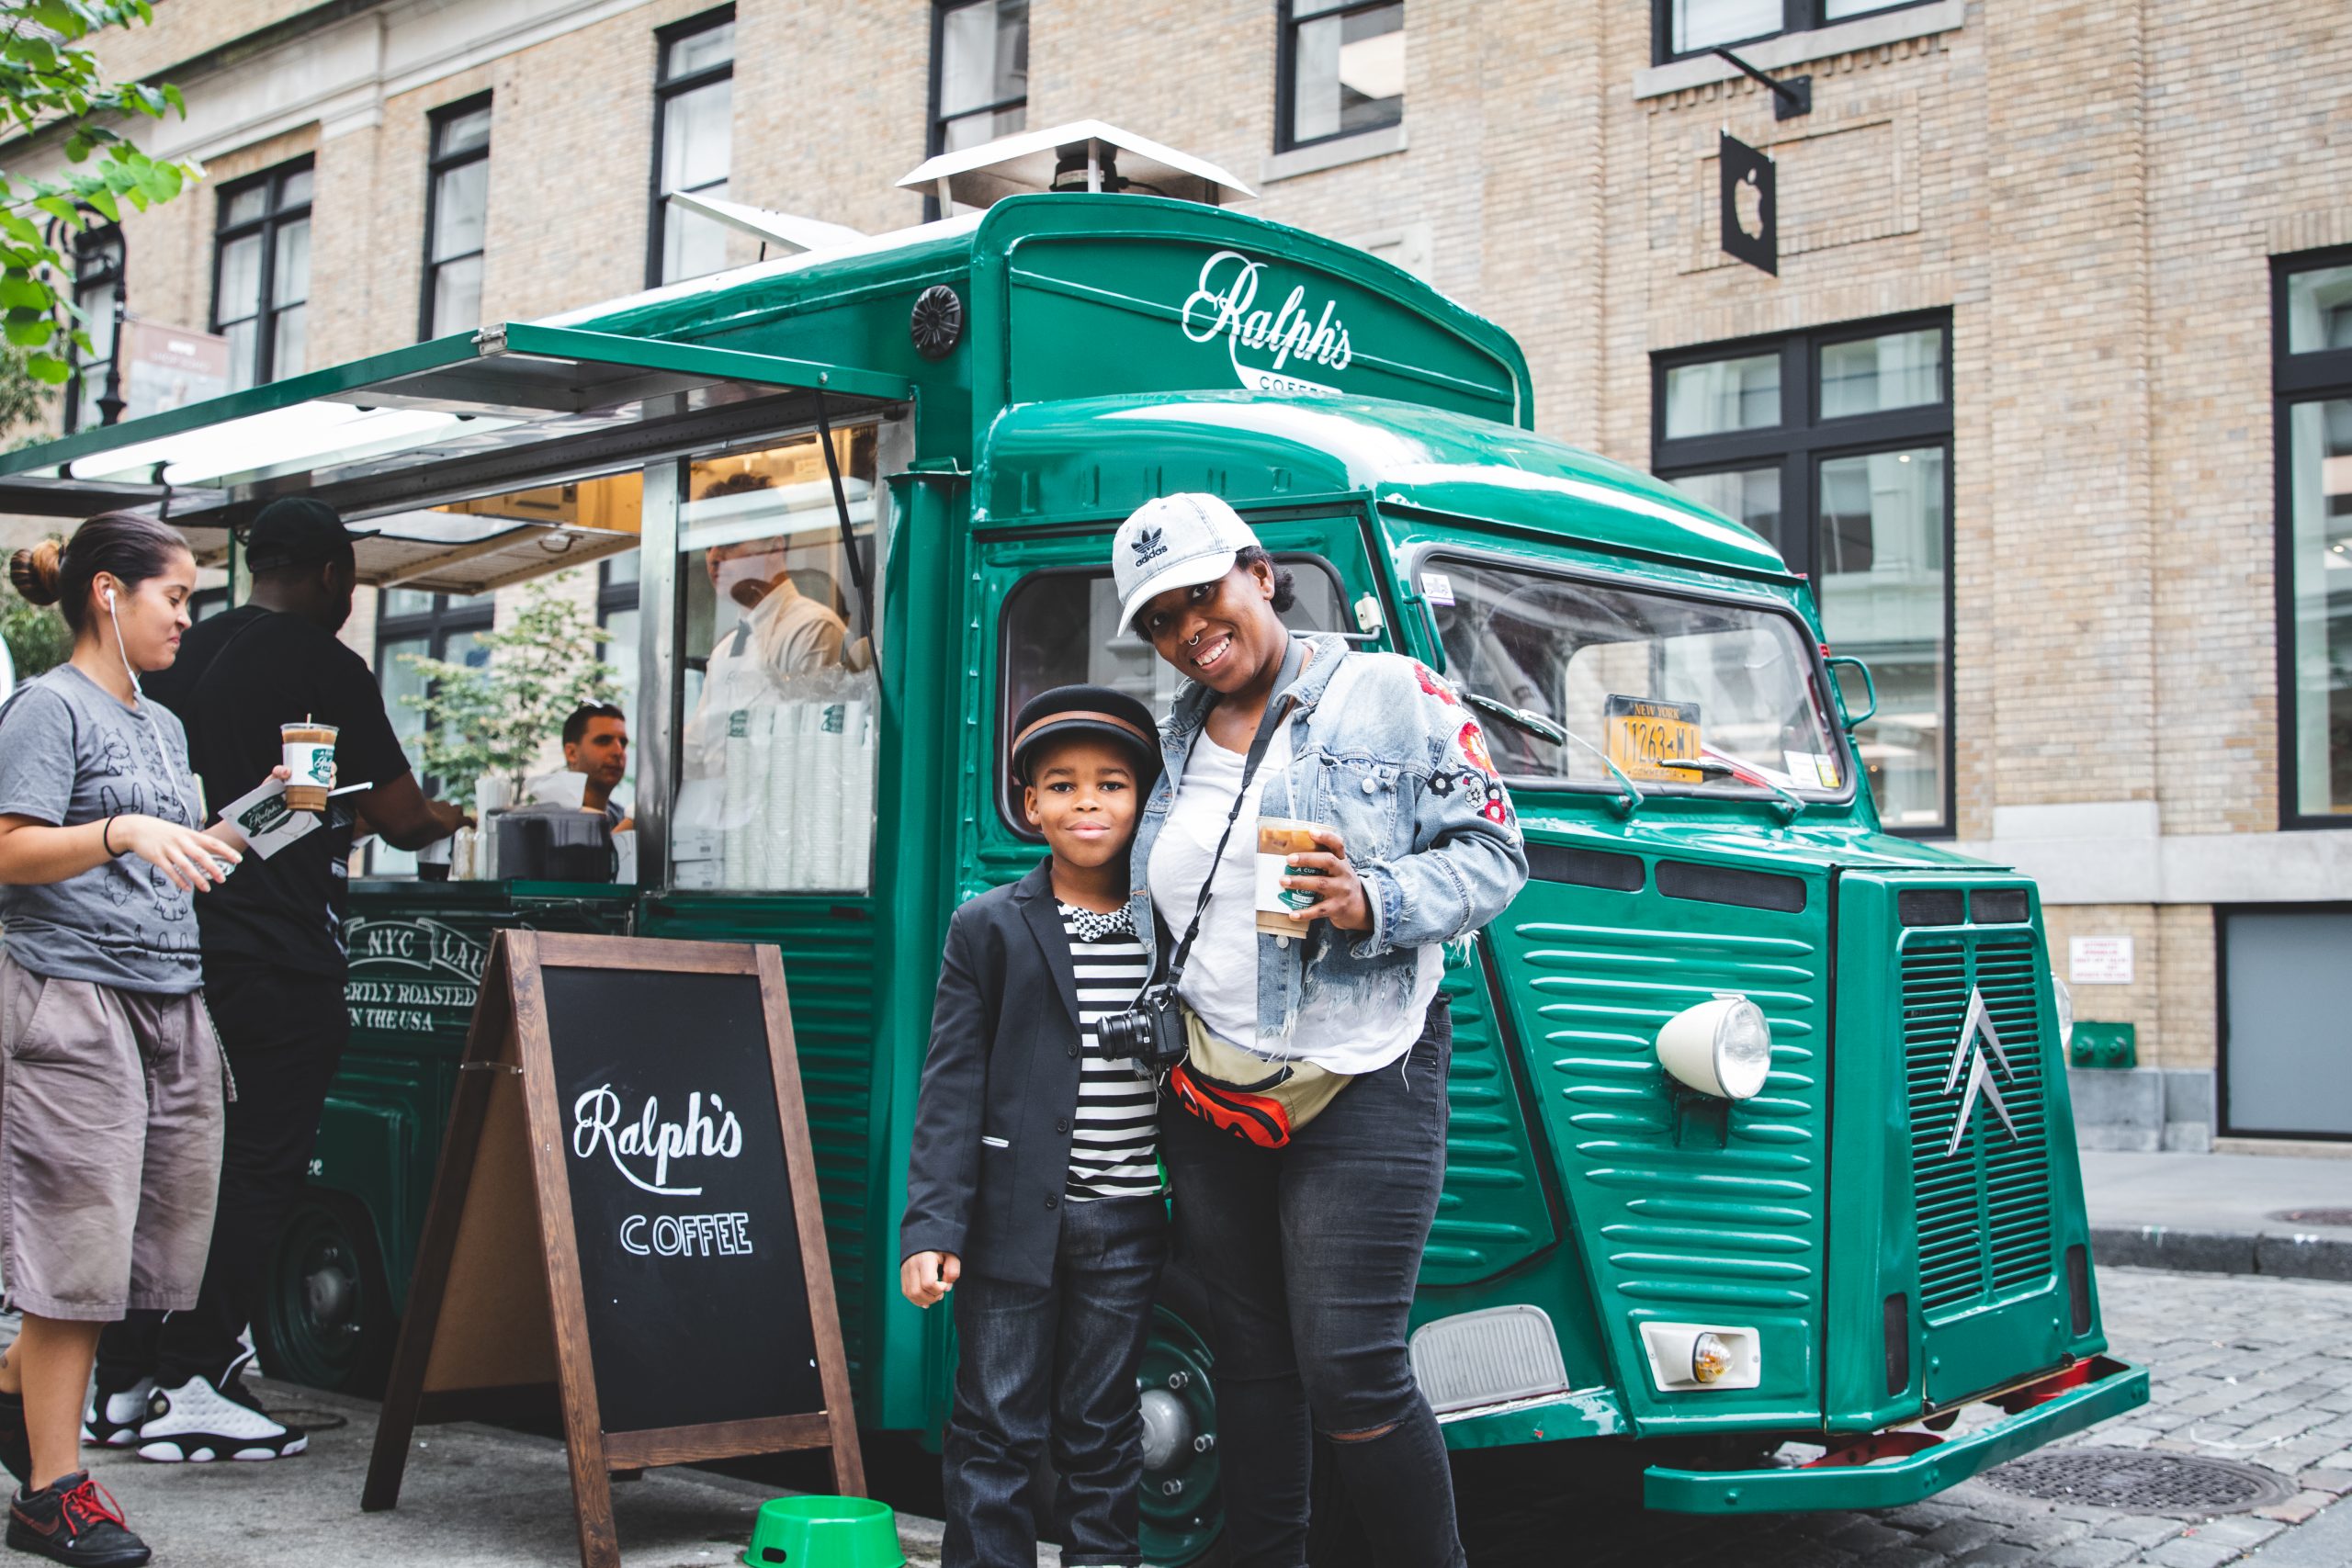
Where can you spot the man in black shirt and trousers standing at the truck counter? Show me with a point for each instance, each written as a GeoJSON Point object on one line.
{"type": "Point", "coordinates": [274, 967]}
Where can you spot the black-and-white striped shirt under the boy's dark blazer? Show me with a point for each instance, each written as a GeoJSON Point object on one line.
{"type": "Point", "coordinates": [1116, 1134]}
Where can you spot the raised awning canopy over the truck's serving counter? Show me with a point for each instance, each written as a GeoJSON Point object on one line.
{"type": "Point", "coordinates": [455, 420]}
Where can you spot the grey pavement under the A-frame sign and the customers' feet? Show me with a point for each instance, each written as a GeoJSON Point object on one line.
{"type": "Point", "coordinates": [472, 1499]}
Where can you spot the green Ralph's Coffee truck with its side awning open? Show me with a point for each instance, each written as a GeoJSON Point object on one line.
{"type": "Point", "coordinates": [1760, 1137]}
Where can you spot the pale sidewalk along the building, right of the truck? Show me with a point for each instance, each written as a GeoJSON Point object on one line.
{"type": "Point", "coordinates": [2219, 1214]}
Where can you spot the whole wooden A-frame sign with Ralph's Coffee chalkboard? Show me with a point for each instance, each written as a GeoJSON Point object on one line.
{"type": "Point", "coordinates": [627, 1207]}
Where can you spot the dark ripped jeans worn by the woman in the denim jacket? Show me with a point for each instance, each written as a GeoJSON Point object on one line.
{"type": "Point", "coordinates": [1309, 1259]}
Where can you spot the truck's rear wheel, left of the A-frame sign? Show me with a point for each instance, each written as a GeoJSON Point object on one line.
{"type": "Point", "coordinates": [328, 1315]}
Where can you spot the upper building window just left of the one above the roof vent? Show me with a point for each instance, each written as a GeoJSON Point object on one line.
{"type": "Point", "coordinates": [693, 142]}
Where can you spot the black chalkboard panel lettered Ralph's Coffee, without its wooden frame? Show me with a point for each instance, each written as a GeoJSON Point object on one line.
{"type": "Point", "coordinates": [681, 1200]}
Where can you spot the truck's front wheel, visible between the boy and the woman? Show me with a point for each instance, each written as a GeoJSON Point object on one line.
{"type": "Point", "coordinates": [1184, 1515]}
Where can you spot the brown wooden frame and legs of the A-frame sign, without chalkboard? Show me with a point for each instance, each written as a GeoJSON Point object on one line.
{"type": "Point", "coordinates": [502, 1198]}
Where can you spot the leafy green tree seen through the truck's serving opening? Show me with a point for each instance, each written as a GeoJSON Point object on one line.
{"type": "Point", "coordinates": [497, 718]}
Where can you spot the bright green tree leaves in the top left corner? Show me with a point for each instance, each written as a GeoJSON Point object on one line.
{"type": "Point", "coordinates": [53, 86]}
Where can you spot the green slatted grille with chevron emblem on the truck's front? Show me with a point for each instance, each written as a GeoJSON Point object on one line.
{"type": "Point", "coordinates": [1984, 1209]}
